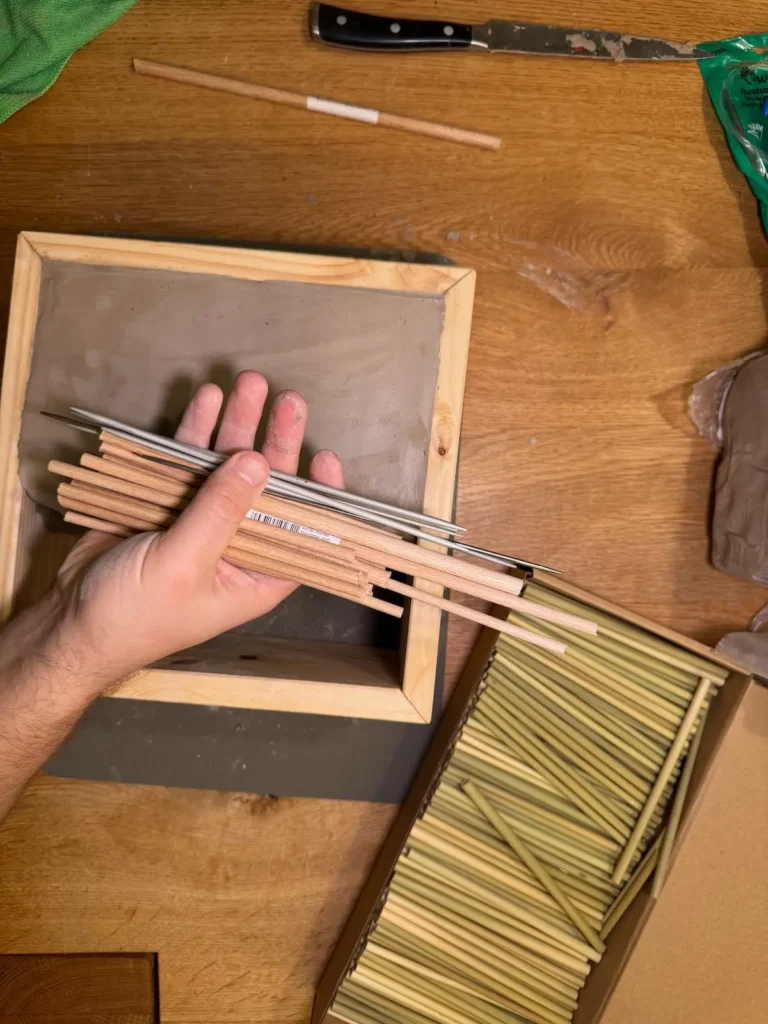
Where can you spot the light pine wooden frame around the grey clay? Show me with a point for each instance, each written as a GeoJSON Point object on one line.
{"type": "Point", "coordinates": [377, 696]}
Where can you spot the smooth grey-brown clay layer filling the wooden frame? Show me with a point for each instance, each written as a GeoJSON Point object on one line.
{"type": "Point", "coordinates": [135, 345]}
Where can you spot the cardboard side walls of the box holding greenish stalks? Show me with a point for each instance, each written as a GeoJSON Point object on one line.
{"type": "Point", "coordinates": [604, 978]}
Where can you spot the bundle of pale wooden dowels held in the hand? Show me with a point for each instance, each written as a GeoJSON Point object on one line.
{"type": "Point", "coordinates": [127, 489]}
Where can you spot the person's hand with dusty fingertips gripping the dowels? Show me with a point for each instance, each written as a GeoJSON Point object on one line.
{"type": "Point", "coordinates": [121, 606]}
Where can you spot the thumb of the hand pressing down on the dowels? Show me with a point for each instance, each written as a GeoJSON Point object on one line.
{"type": "Point", "coordinates": [200, 536]}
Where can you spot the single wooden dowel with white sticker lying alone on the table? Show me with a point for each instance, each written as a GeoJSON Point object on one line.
{"type": "Point", "coordinates": [250, 91]}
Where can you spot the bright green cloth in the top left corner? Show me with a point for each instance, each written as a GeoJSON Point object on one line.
{"type": "Point", "coordinates": [38, 37]}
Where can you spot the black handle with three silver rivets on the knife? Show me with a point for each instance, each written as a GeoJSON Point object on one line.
{"type": "Point", "coordinates": [371, 32]}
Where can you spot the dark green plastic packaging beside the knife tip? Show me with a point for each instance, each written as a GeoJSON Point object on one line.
{"type": "Point", "coordinates": [737, 79]}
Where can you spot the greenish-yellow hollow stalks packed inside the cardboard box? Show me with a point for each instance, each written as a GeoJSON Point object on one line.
{"type": "Point", "coordinates": [548, 819]}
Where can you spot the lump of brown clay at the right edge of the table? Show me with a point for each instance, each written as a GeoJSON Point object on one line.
{"type": "Point", "coordinates": [740, 526]}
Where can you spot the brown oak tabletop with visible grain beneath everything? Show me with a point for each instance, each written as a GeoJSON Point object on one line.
{"type": "Point", "coordinates": [619, 257]}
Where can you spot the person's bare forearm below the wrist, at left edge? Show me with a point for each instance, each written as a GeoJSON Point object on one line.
{"type": "Point", "coordinates": [45, 690]}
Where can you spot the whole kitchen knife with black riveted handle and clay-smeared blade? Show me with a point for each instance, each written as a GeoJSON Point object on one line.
{"type": "Point", "coordinates": [372, 32]}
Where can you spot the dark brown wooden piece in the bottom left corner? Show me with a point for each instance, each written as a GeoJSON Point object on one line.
{"type": "Point", "coordinates": [83, 990]}
